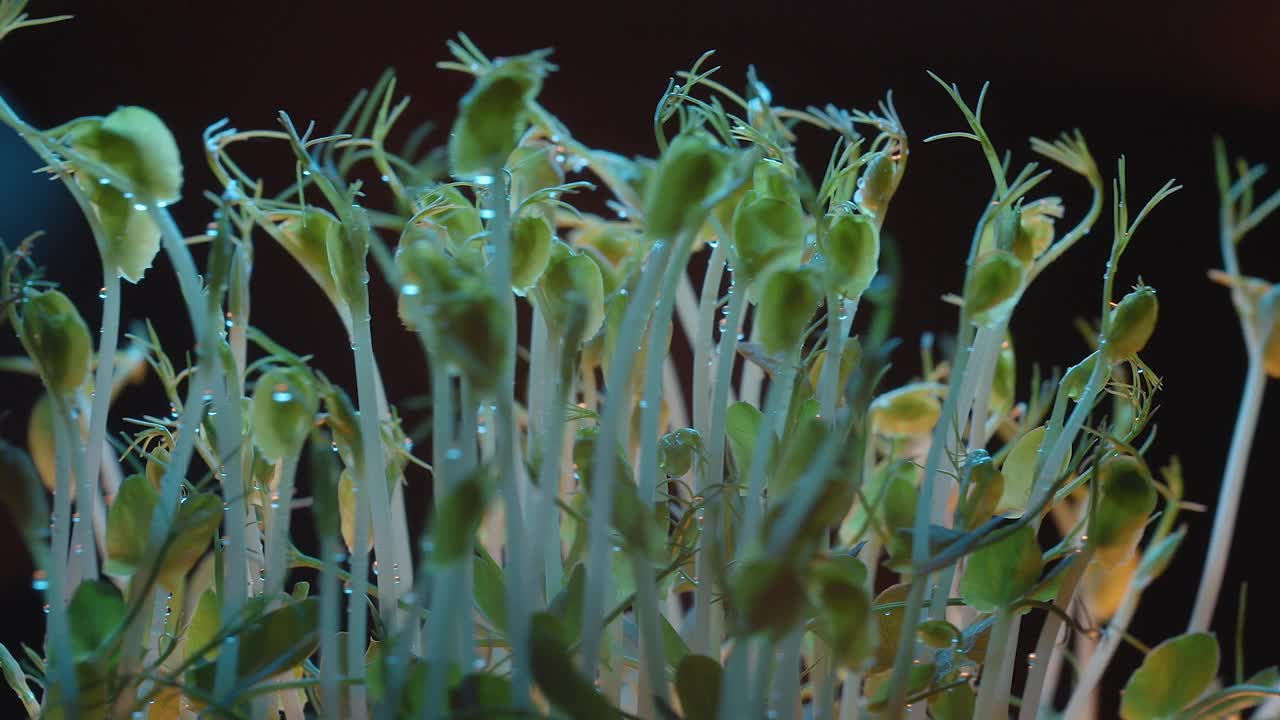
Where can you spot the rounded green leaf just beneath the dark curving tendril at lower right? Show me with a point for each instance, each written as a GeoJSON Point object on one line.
{"type": "Point", "coordinates": [1000, 575]}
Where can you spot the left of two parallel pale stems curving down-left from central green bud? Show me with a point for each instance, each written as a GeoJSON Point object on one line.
{"type": "Point", "coordinates": [618, 409]}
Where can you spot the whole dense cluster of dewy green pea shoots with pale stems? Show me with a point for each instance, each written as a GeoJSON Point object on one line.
{"type": "Point", "coordinates": [784, 536]}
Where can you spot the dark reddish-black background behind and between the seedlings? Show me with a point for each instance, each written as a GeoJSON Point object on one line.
{"type": "Point", "coordinates": [1153, 81]}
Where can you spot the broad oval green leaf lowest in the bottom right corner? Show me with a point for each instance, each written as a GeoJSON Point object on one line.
{"type": "Point", "coordinates": [1172, 677]}
